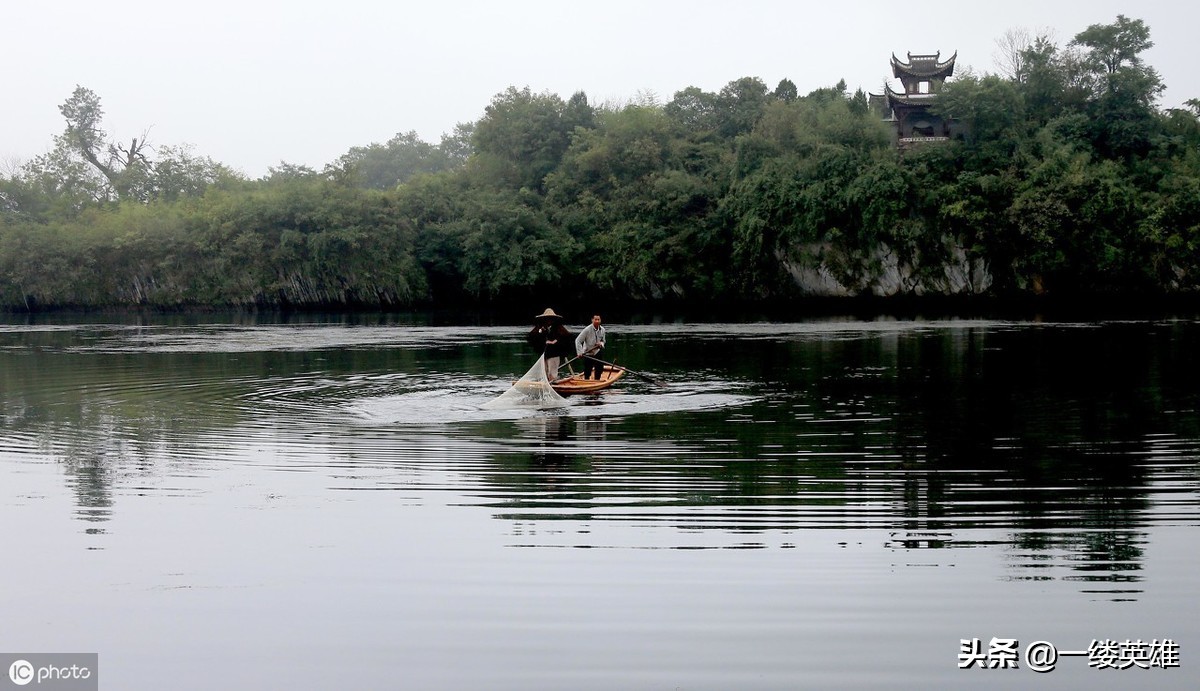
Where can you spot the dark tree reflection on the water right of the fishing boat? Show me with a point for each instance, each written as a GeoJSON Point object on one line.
{"type": "Point", "coordinates": [951, 437]}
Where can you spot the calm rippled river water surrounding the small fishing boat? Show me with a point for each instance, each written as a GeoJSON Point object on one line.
{"type": "Point", "coordinates": [821, 504]}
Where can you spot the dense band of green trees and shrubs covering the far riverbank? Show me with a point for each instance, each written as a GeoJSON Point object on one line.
{"type": "Point", "coordinates": [1070, 179]}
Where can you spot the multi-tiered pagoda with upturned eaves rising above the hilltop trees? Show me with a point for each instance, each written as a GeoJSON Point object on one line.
{"type": "Point", "coordinates": [922, 77]}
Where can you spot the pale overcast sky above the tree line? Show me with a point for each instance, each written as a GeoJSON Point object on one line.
{"type": "Point", "coordinates": [253, 83]}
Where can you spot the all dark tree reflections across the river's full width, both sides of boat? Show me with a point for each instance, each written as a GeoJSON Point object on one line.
{"type": "Point", "coordinates": [1045, 442]}
